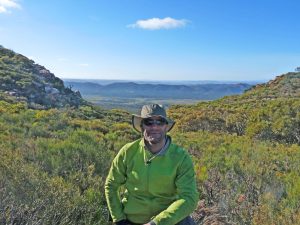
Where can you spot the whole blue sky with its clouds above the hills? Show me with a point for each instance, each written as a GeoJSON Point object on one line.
{"type": "Point", "coordinates": [156, 39]}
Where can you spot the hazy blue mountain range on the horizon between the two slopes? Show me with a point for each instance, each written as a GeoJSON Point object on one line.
{"type": "Point", "coordinates": [163, 91]}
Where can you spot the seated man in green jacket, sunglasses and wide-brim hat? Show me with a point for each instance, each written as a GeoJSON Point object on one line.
{"type": "Point", "coordinates": [157, 176]}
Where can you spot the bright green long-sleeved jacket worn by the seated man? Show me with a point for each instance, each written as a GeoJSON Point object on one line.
{"type": "Point", "coordinates": [163, 190]}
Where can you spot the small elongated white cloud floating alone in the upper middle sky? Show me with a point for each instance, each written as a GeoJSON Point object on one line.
{"type": "Point", "coordinates": [157, 23]}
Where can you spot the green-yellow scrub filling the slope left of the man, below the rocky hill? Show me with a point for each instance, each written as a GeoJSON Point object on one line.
{"type": "Point", "coordinates": [54, 162]}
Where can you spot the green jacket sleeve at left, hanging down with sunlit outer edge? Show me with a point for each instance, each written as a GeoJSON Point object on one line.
{"type": "Point", "coordinates": [115, 179]}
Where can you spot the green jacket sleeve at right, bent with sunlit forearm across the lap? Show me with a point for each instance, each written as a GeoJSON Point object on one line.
{"type": "Point", "coordinates": [187, 196]}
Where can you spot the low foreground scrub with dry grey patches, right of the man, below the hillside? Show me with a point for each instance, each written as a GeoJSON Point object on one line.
{"type": "Point", "coordinates": [248, 180]}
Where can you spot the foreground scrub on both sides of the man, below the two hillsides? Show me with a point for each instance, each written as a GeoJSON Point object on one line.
{"type": "Point", "coordinates": [54, 162]}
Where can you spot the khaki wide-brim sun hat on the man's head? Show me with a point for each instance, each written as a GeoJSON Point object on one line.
{"type": "Point", "coordinates": [149, 111]}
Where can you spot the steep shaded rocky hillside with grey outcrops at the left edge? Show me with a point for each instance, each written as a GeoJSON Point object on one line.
{"type": "Point", "coordinates": [21, 79]}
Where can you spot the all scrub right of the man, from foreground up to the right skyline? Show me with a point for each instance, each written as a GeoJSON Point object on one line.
{"type": "Point", "coordinates": [247, 152]}
